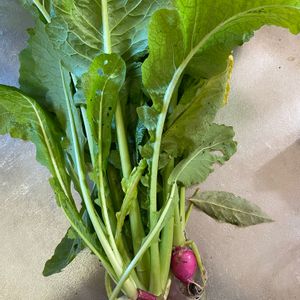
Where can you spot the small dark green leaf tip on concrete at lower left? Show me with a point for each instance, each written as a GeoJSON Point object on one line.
{"type": "Point", "coordinates": [64, 254]}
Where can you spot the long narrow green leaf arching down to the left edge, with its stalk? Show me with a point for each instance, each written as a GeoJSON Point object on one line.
{"type": "Point", "coordinates": [22, 117]}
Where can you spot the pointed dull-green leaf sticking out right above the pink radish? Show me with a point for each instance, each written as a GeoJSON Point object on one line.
{"type": "Point", "coordinates": [226, 207]}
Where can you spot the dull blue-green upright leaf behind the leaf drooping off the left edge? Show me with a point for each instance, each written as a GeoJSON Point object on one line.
{"type": "Point", "coordinates": [43, 77]}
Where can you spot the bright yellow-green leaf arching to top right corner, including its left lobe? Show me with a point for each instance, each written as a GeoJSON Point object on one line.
{"type": "Point", "coordinates": [201, 27]}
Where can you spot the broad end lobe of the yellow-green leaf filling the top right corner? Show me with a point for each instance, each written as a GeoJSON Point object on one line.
{"type": "Point", "coordinates": [223, 25]}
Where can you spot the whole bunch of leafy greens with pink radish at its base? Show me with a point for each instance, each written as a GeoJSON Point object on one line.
{"type": "Point", "coordinates": [119, 98]}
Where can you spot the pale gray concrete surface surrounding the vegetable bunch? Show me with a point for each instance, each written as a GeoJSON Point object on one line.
{"type": "Point", "coordinates": [257, 263]}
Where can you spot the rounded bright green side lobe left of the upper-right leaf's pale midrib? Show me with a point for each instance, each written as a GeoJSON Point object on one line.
{"type": "Point", "coordinates": [166, 53]}
